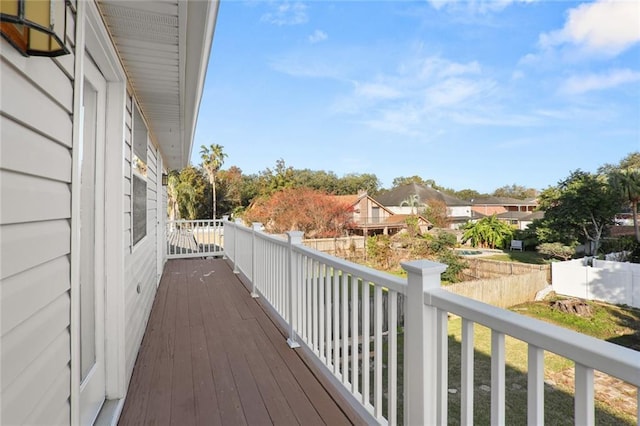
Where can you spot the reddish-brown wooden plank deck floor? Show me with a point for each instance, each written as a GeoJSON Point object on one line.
{"type": "Point", "coordinates": [211, 355]}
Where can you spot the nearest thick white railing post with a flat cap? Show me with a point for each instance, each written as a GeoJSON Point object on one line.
{"type": "Point", "coordinates": [421, 340]}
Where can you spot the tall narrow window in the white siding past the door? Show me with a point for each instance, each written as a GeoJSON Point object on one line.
{"type": "Point", "coordinates": [139, 178]}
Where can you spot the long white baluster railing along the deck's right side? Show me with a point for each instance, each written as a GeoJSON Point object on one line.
{"type": "Point", "coordinates": [352, 319]}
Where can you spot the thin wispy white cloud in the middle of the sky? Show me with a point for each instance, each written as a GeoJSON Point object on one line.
{"type": "Point", "coordinates": [421, 92]}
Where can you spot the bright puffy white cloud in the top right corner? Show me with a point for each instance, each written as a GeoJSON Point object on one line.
{"type": "Point", "coordinates": [606, 27]}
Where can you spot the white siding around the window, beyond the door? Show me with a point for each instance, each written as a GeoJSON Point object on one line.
{"type": "Point", "coordinates": [140, 260]}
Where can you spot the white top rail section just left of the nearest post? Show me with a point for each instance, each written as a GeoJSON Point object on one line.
{"type": "Point", "coordinates": [368, 274]}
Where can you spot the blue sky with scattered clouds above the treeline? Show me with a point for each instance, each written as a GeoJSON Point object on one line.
{"type": "Point", "coordinates": [475, 94]}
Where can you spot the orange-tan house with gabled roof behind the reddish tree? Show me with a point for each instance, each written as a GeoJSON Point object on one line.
{"type": "Point", "coordinates": [370, 217]}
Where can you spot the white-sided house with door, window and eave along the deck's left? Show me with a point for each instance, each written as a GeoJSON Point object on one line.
{"type": "Point", "coordinates": [86, 137]}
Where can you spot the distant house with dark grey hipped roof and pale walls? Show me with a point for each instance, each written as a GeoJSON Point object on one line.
{"type": "Point", "coordinates": [413, 197]}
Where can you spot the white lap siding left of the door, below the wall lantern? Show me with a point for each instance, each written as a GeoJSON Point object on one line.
{"type": "Point", "coordinates": [36, 125]}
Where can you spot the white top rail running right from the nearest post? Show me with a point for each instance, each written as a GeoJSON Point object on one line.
{"type": "Point", "coordinates": [600, 355]}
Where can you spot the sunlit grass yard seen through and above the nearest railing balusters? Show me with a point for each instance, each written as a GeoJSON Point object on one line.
{"type": "Point", "coordinates": [611, 323]}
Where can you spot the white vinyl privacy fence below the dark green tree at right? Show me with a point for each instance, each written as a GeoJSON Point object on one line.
{"type": "Point", "coordinates": [607, 281]}
